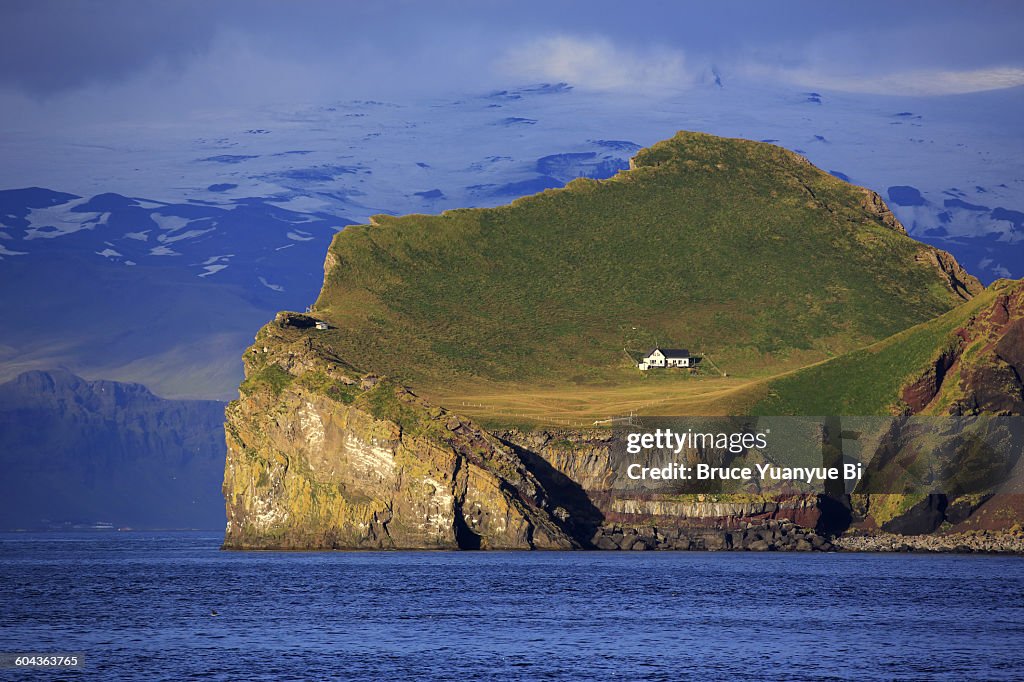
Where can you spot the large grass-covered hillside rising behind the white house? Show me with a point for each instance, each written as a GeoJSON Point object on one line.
{"type": "Point", "coordinates": [737, 248]}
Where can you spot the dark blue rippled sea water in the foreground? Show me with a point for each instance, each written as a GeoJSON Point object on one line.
{"type": "Point", "coordinates": [139, 607]}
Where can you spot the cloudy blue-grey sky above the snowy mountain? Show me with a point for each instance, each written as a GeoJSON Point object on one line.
{"type": "Point", "coordinates": [72, 62]}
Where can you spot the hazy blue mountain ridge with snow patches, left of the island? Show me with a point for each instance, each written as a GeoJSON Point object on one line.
{"type": "Point", "coordinates": [161, 293]}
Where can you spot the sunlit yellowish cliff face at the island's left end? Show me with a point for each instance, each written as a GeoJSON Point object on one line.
{"type": "Point", "coordinates": [322, 457]}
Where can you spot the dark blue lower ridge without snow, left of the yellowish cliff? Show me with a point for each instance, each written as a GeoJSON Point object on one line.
{"type": "Point", "coordinates": [79, 453]}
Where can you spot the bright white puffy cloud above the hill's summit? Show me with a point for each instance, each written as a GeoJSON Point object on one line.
{"type": "Point", "coordinates": [596, 64]}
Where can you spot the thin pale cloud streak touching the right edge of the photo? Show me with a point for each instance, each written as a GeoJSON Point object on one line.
{"type": "Point", "coordinates": [919, 82]}
